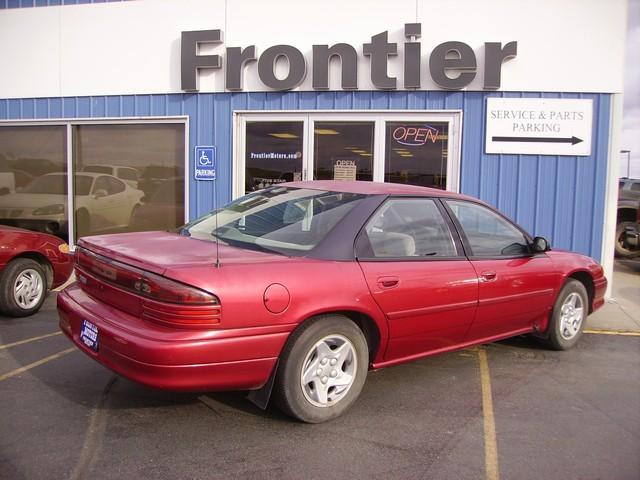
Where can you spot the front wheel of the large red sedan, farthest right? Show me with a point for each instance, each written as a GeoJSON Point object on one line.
{"type": "Point", "coordinates": [568, 316]}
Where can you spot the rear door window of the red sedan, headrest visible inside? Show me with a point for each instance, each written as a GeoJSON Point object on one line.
{"type": "Point", "coordinates": [406, 228]}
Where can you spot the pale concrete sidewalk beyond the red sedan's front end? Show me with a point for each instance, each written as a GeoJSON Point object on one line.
{"type": "Point", "coordinates": [622, 311]}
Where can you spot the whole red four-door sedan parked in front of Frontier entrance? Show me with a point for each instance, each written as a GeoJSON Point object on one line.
{"type": "Point", "coordinates": [303, 287]}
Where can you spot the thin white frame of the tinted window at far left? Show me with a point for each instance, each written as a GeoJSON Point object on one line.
{"type": "Point", "coordinates": [70, 123]}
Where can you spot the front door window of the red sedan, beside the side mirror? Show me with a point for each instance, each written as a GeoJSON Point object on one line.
{"type": "Point", "coordinates": [488, 234]}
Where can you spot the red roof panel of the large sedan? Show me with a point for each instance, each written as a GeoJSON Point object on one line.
{"type": "Point", "coordinates": [374, 188]}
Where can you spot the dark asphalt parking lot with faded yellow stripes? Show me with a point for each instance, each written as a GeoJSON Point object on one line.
{"type": "Point", "coordinates": [509, 410]}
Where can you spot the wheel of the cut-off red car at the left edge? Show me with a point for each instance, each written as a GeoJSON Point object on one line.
{"type": "Point", "coordinates": [23, 287]}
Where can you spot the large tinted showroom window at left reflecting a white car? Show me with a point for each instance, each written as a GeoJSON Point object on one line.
{"type": "Point", "coordinates": [128, 175]}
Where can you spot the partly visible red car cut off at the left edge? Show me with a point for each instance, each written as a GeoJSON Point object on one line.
{"type": "Point", "coordinates": [30, 264]}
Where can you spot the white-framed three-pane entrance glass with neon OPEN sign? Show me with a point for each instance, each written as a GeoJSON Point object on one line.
{"type": "Point", "coordinates": [415, 148]}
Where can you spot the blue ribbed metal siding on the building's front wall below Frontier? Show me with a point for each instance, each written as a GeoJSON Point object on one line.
{"type": "Point", "coordinates": [561, 198]}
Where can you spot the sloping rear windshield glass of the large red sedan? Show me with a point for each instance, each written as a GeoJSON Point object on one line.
{"type": "Point", "coordinates": [279, 219]}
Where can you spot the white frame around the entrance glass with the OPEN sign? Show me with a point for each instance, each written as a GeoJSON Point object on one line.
{"type": "Point", "coordinates": [453, 117]}
